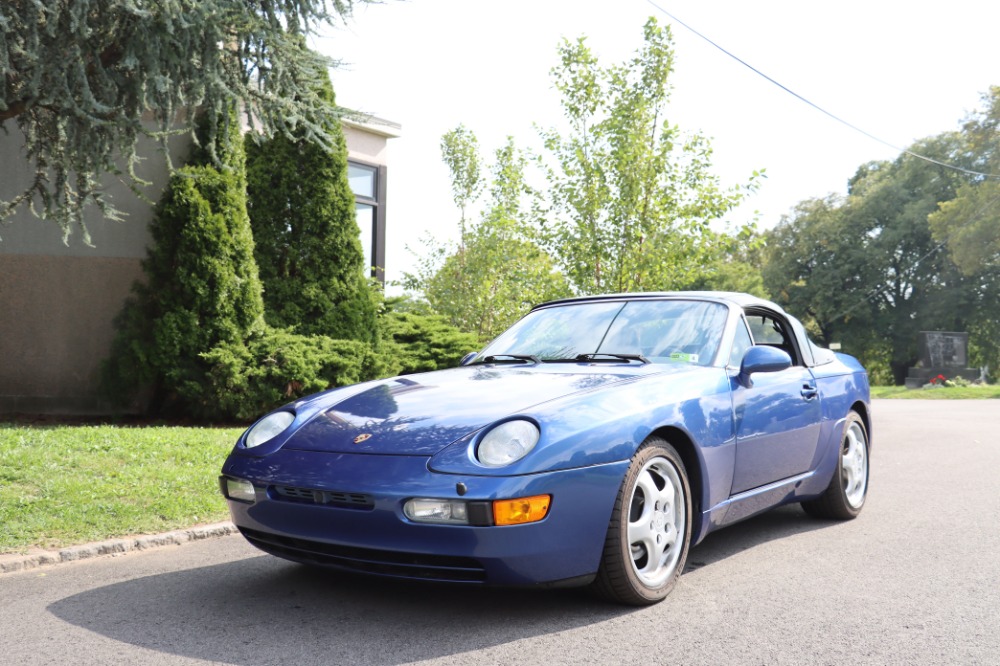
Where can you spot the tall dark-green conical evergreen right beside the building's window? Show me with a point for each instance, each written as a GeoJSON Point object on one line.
{"type": "Point", "coordinates": [306, 233]}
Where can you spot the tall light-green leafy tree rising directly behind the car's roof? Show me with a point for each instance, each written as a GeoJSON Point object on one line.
{"type": "Point", "coordinates": [631, 195]}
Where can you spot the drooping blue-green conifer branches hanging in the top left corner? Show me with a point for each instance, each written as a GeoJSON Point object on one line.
{"type": "Point", "coordinates": [78, 78]}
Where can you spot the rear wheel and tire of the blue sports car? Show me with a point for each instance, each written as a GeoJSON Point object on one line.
{"type": "Point", "coordinates": [844, 498]}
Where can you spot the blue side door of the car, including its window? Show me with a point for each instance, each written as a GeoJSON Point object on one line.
{"type": "Point", "coordinates": [778, 418]}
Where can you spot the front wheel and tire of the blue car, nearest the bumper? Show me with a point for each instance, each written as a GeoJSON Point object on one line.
{"type": "Point", "coordinates": [650, 530]}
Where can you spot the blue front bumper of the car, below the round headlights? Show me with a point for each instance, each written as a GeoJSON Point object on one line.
{"type": "Point", "coordinates": [346, 511]}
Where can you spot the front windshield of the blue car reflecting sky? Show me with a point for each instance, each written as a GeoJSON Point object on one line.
{"type": "Point", "coordinates": [658, 330]}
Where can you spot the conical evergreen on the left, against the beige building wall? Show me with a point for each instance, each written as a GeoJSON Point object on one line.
{"type": "Point", "coordinates": [201, 285]}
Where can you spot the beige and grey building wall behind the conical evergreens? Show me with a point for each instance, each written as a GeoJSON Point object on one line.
{"type": "Point", "coordinates": [58, 301]}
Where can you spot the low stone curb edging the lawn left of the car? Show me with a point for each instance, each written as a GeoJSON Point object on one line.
{"type": "Point", "coordinates": [33, 560]}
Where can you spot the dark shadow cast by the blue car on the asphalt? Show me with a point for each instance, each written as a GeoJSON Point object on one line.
{"type": "Point", "coordinates": [263, 610]}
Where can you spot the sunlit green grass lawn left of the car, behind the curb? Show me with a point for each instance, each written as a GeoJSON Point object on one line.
{"type": "Point", "coordinates": [63, 485]}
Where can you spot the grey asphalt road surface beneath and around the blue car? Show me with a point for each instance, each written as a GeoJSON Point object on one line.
{"type": "Point", "coordinates": [914, 580]}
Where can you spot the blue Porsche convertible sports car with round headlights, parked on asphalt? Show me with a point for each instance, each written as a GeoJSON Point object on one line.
{"type": "Point", "coordinates": [592, 443]}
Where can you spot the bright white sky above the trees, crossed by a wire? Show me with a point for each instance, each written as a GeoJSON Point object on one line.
{"type": "Point", "coordinates": [899, 70]}
